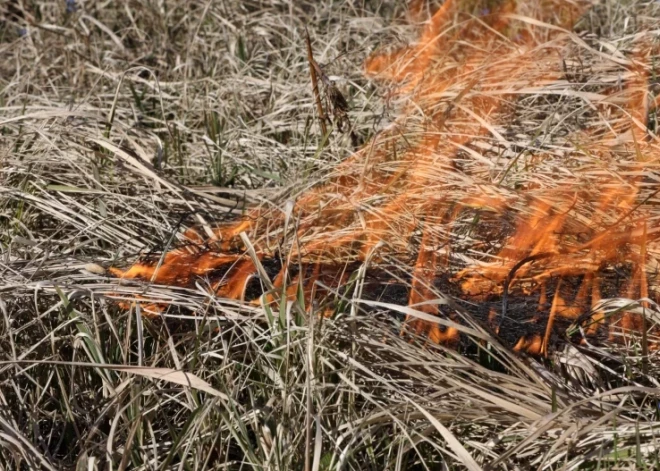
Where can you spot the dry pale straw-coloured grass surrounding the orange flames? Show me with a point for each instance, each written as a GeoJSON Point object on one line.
{"type": "Point", "coordinates": [123, 123]}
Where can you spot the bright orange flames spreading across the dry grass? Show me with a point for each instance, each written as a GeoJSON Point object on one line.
{"type": "Point", "coordinates": [421, 196]}
